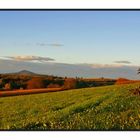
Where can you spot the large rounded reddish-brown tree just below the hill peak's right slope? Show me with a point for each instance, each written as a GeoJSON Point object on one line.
{"type": "Point", "coordinates": [35, 83]}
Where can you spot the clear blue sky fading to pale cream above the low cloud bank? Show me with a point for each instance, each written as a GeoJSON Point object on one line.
{"type": "Point", "coordinates": [95, 37]}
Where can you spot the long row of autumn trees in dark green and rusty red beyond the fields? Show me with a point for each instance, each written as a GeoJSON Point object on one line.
{"type": "Point", "coordinates": [35, 82]}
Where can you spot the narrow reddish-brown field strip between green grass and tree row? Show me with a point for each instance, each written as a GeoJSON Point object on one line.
{"type": "Point", "coordinates": [26, 92]}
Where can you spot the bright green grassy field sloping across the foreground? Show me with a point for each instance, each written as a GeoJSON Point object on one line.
{"type": "Point", "coordinates": [101, 108]}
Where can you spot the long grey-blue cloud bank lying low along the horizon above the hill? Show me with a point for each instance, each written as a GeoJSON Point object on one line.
{"type": "Point", "coordinates": [71, 70]}
